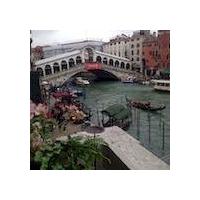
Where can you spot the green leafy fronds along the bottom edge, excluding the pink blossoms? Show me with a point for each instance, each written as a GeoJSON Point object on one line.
{"type": "Point", "coordinates": [74, 154]}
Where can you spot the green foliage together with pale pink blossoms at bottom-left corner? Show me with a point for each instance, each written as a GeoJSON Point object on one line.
{"type": "Point", "coordinates": [75, 153]}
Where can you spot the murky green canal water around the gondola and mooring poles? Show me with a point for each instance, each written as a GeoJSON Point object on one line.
{"type": "Point", "coordinates": [151, 129]}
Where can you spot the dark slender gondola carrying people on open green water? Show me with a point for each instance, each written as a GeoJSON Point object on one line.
{"type": "Point", "coordinates": [145, 105]}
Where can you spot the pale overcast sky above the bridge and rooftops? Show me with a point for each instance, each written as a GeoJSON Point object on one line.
{"type": "Point", "coordinates": [48, 37]}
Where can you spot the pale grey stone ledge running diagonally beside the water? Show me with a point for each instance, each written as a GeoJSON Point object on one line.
{"type": "Point", "coordinates": [129, 150]}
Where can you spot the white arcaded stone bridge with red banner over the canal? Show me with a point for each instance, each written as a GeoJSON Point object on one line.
{"type": "Point", "coordinates": [58, 69]}
